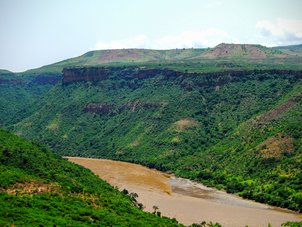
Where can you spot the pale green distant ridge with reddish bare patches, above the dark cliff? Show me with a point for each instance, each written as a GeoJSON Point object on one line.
{"type": "Point", "coordinates": [223, 51]}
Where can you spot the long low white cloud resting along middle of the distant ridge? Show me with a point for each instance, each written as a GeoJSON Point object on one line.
{"type": "Point", "coordinates": [188, 39]}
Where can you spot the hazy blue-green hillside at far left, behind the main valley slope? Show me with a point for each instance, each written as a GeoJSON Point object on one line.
{"type": "Point", "coordinates": [18, 94]}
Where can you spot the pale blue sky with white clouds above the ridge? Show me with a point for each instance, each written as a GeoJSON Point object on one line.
{"type": "Point", "coordinates": [36, 33]}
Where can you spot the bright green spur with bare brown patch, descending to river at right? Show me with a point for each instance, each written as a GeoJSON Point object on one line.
{"type": "Point", "coordinates": [261, 159]}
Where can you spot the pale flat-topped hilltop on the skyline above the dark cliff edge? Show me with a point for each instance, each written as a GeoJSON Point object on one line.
{"type": "Point", "coordinates": [229, 55]}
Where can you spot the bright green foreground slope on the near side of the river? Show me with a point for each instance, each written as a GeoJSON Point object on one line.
{"type": "Point", "coordinates": [38, 187]}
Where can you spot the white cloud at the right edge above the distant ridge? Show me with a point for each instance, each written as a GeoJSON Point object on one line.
{"type": "Point", "coordinates": [281, 31]}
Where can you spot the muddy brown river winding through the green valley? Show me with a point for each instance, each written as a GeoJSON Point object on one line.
{"type": "Point", "coordinates": [187, 201]}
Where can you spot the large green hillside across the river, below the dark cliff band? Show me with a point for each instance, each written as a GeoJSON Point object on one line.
{"type": "Point", "coordinates": [238, 132]}
